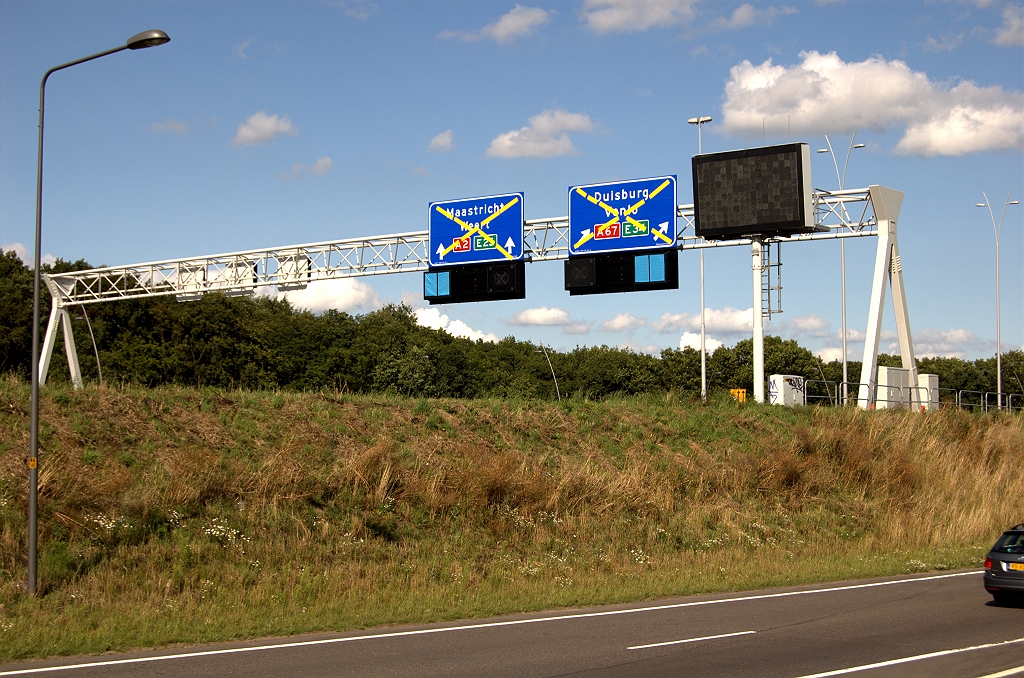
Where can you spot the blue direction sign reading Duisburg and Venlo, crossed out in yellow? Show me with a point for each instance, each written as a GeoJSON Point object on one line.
{"type": "Point", "coordinates": [639, 215]}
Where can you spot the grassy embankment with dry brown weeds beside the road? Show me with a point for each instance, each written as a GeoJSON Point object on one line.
{"type": "Point", "coordinates": [183, 516]}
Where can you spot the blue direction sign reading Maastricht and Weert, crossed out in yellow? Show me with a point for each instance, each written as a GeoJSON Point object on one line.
{"type": "Point", "coordinates": [477, 230]}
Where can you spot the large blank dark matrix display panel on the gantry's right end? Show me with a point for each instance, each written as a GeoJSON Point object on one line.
{"type": "Point", "coordinates": [756, 192]}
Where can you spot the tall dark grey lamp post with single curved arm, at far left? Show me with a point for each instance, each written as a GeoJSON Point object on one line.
{"type": "Point", "coordinates": [141, 41]}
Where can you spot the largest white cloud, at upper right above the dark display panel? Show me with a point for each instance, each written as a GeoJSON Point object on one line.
{"type": "Point", "coordinates": [826, 95]}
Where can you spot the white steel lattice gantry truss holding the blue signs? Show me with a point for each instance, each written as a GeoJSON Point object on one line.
{"type": "Point", "coordinates": [839, 215]}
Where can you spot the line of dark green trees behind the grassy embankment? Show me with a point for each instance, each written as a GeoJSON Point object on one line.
{"type": "Point", "coordinates": [261, 343]}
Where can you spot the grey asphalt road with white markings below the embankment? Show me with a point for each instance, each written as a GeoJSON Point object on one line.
{"type": "Point", "coordinates": [932, 625]}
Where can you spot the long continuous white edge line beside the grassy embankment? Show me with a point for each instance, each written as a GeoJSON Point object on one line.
{"type": "Point", "coordinates": [488, 625]}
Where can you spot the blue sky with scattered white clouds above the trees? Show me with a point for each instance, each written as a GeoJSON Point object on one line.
{"type": "Point", "coordinates": [279, 123]}
